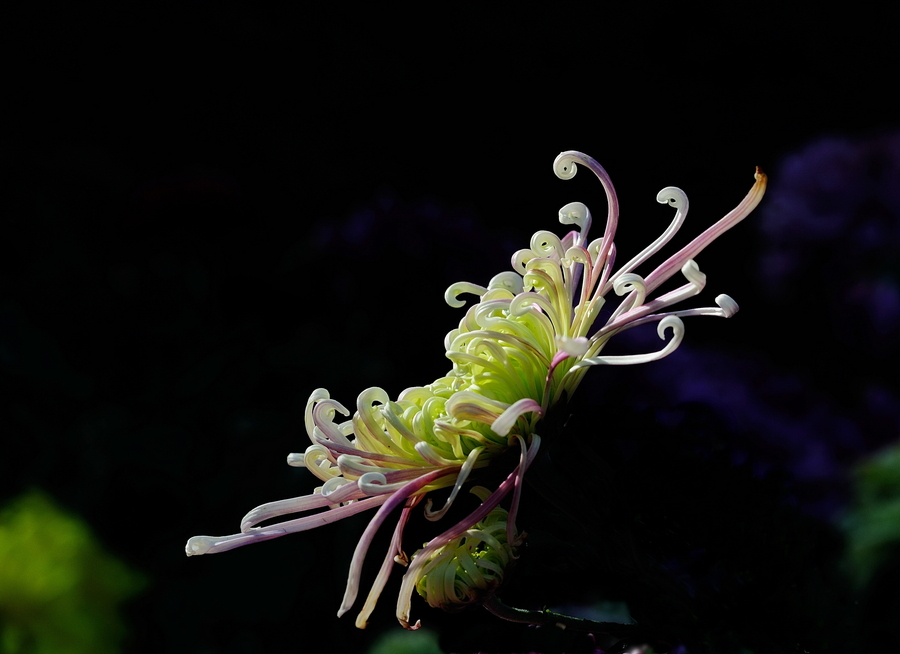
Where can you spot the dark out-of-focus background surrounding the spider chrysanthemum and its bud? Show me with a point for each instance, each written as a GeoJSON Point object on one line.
{"type": "Point", "coordinates": [211, 209]}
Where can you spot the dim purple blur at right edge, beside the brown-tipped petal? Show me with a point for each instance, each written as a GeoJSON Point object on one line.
{"type": "Point", "coordinates": [832, 229]}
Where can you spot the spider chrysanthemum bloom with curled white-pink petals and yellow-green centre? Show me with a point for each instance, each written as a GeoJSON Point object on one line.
{"type": "Point", "coordinates": [525, 344]}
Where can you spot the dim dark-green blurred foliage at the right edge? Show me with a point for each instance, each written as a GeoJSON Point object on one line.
{"type": "Point", "coordinates": [873, 526]}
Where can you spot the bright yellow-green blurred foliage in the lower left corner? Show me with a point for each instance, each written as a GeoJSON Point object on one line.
{"type": "Point", "coordinates": [59, 590]}
